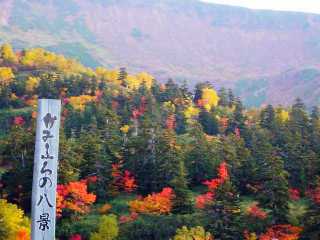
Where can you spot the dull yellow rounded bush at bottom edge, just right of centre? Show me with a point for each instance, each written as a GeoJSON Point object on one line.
{"type": "Point", "coordinates": [193, 233]}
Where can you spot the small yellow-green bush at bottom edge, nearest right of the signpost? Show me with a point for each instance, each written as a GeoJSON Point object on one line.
{"type": "Point", "coordinates": [108, 228]}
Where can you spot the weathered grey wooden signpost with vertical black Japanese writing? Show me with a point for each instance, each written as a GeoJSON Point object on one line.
{"type": "Point", "coordinates": [45, 170]}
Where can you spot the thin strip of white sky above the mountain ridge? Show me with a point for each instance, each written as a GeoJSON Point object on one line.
{"type": "Point", "coordinates": [312, 6]}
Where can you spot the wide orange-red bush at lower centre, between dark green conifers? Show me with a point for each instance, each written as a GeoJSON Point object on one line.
{"type": "Point", "coordinates": [155, 203]}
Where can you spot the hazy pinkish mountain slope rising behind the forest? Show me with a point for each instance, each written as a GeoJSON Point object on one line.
{"type": "Point", "coordinates": [183, 39]}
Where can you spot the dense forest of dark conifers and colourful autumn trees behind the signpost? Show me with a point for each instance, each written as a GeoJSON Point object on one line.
{"type": "Point", "coordinates": [140, 159]}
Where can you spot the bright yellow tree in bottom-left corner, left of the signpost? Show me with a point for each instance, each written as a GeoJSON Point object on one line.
{"type": "Point", "coordinates": [13, 224]}
